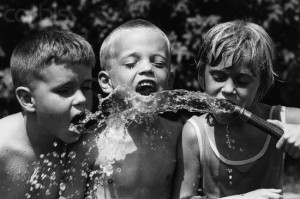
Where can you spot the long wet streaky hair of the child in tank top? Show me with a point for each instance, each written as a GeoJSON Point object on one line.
{"type": "Point", "coordinates": [241, 40]}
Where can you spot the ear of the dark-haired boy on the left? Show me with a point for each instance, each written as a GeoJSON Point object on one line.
{"type": "Point", "coordinates": [25, 98]}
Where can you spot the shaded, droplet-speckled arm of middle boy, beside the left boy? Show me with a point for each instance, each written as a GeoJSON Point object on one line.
{"type": "Point", "coordinates": [78, 164]}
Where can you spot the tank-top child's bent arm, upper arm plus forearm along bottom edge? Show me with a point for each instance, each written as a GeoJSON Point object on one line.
{"type": "Point", "coordinates": [188, 171]}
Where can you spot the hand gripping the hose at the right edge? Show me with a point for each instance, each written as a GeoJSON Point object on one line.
{"type": "Point", "coordinates": [290, 140]}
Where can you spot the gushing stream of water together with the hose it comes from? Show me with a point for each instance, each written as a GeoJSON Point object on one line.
{"type": "Point", "coordinates": [125, 104]}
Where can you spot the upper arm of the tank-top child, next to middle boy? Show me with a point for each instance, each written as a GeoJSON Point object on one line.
{"type": "Point", "coordinates": [188, 166]}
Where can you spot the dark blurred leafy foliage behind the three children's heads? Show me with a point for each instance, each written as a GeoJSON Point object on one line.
{"type": "Point", "coordinates": [184, 21]}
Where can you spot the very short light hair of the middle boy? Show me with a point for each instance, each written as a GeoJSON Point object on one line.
{"type": "Point", "coordinates": [107, 51]}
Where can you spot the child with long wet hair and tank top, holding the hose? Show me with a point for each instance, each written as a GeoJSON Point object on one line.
{"type": "Point", "coordinates": [221, 156]}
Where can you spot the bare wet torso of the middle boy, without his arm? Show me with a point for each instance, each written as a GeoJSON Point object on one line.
{"type": "Point", "coordinates": [139, 163]}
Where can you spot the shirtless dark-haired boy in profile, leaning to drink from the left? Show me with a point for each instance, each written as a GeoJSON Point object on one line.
{"type": "Point", "coordinates": [51, 72]}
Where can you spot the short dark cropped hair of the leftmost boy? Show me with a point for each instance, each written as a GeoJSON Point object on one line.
{"type": "Point", "coordinates": [41, 49]}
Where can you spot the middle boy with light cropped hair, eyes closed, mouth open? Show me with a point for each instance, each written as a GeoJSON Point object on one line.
{"type": "Point", "coordinates": [138, 161]}
